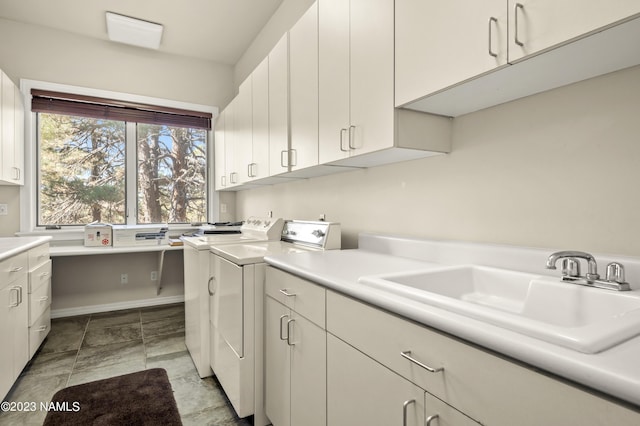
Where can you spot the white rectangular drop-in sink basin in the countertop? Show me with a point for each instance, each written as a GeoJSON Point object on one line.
{"type": "Point", "coordinates": [582, 318]}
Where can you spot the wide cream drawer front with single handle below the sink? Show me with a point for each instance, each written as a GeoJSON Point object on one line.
{"type": "Point", "coordinates": [483, 385]}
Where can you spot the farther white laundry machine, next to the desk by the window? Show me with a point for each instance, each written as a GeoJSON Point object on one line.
{"type": "Point", "coordinates": [196, 274]}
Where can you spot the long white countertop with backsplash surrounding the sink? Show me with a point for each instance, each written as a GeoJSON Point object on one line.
{"type": "Point", "coordinates": [615, 371]}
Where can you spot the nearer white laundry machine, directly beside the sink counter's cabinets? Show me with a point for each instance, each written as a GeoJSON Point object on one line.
{"type": "Point", "coordinates": [236, 301]}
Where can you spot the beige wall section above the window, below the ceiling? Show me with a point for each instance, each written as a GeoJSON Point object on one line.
{"type": "Point", "coordinates": [38, 53]}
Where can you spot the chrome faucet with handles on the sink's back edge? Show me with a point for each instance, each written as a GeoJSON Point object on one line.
{"type": "Point", "coordinates": [571, 270]}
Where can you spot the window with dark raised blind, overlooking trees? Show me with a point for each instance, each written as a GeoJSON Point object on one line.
{"type": "Point", "coordinates": [121, 163]}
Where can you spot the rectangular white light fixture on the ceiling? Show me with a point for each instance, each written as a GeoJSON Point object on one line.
{"type": "Point", "coordinates": [124, 29]}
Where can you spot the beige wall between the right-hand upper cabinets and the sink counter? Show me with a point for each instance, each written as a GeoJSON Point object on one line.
{"type": "Point", "coordinates": [556, 170]}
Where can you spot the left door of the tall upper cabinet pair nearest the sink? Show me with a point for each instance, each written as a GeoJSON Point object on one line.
{"type": "Point", "coordinates": [333, 53]}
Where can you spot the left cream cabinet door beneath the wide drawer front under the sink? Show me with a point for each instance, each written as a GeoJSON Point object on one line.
{"type": "Point", "coordinates": [361, 391]}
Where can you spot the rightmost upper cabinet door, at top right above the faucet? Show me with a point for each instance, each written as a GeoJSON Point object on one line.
{"type": "Point", "coordinates": [536, 25]}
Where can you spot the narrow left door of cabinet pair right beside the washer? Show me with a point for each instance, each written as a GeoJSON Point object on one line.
{"type": "Point", "coordinates": [277, 363]}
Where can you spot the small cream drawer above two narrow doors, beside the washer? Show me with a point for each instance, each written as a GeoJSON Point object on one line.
{"type": "Point", "coordinates": [300, 295]}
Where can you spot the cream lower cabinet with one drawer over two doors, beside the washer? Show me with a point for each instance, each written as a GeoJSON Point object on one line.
{"type": "Point", "coordinates": [295, 352]}
